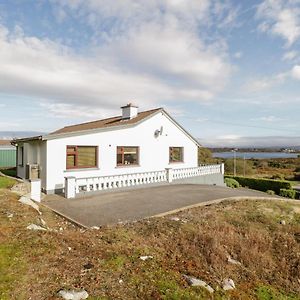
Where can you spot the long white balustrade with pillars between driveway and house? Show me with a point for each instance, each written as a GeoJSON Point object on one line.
{"type": "Point", "coordinates": [128, 180]}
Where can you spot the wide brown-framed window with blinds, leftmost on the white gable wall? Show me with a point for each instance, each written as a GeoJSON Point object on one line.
{"type": "Point", "coordinates": [81, 157]}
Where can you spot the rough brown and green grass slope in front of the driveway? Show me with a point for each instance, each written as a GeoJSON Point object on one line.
{"type": "Point", "coordinates": [105, 262]}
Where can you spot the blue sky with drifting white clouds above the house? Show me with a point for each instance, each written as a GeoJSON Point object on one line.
{"type": "Point", "coordinates": [223, 69]}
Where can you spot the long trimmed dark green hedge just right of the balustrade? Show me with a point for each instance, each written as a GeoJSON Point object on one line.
{"type": "Point", "coordinates": [262, 184]}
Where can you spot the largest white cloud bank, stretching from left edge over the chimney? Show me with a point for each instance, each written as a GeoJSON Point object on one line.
{"type": "Point", "coordinates": [157, 59]}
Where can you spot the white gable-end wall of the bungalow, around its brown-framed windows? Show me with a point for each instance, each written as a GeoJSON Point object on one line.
{"type": "Point", "coordinates": [153, 152]}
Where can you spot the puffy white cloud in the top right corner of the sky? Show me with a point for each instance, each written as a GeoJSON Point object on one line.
{"type": "Point", "coordinates": [281, 18]}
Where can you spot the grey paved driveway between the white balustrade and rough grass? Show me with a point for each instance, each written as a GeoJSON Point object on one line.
{"type": "Point", "coordinates": [129, 205]}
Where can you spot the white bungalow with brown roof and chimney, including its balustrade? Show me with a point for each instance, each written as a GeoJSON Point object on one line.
{"type": "Point", "coordinates": [131, 149]}
